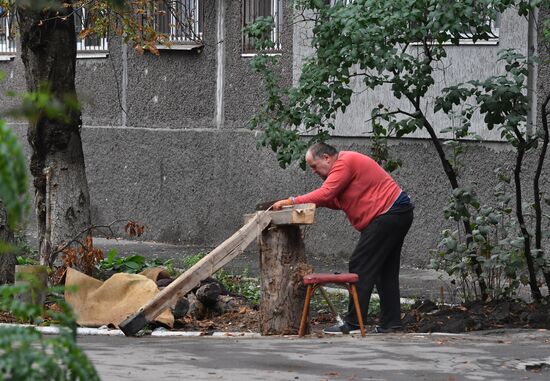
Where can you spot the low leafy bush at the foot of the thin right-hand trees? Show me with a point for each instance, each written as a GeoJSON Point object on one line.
{"type": "Point", "coordinates": [496, 244]}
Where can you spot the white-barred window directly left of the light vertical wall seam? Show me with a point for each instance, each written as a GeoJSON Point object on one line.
{"type": "Point", "coordinates": [181, 21]}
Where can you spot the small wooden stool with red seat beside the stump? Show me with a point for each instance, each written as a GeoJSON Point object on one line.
{"type": "Point", "coordinates": [314, 281]}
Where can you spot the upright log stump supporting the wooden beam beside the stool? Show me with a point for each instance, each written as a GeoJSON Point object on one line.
{"type": "Point", "coordinates": [283, 264]}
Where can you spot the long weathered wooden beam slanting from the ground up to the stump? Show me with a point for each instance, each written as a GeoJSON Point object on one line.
{"type": "Point", "coordinates": [208, 265]}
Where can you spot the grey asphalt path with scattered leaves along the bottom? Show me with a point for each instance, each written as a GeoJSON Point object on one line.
{"type": "Point", "coordinates": [490, 355]}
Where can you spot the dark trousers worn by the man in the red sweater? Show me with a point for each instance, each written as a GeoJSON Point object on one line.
{"type": "Point", "coordinates": [376, 259]}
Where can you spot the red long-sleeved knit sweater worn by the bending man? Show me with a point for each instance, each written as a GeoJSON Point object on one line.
{"type": "Point", "coordinates": [357, 185]}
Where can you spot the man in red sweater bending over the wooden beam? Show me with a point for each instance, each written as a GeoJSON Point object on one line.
{"type": "Point", "coordinates": [380, 210]}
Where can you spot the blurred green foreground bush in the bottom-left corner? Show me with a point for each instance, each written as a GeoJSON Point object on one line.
{"type": "Point", "coordinates": [27, 354]}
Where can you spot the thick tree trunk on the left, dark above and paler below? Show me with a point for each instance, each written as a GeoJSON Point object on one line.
{"type": "Point", "coordinates": [62, 202]}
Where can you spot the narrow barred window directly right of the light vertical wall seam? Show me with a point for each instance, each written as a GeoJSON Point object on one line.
{"type": "Point", "coordinates": [256, 8]}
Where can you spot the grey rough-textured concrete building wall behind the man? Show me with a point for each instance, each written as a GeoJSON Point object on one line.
{"type": "Point", "coordinates": [180, 160]}
